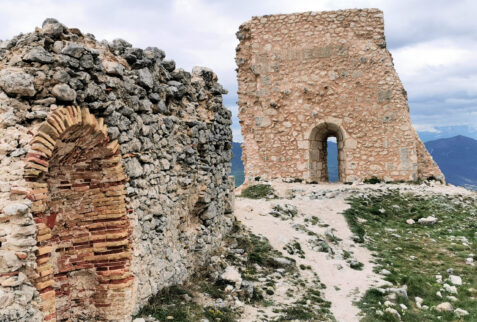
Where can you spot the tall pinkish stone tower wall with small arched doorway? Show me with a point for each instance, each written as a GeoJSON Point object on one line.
{"type": "Point", "coordinates": [305, 77]}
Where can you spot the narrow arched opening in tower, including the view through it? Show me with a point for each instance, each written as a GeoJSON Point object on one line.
{"type": "Point", "coordinates": [327, 159]}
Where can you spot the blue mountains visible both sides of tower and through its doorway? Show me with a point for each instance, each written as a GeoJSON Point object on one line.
{"type": "Point", "coordinates": [456, 156]}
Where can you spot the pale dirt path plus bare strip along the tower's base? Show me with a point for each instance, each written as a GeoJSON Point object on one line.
{"type": "Point", "coordinates": [320, 209]}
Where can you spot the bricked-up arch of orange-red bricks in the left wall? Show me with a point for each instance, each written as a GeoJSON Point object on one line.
{"type": "Point", "coordinates": [76, 182]}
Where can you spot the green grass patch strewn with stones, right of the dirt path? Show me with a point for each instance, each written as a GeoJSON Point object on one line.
{"type": "Point", "coordinates": [415, 254]}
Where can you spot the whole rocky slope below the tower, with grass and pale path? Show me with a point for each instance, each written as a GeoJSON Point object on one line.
{"type": "Point", "coordinates": [338, 252]}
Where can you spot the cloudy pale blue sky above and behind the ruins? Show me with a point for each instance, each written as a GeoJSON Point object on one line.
{"type": "Point", "coordinates": [433, 43]}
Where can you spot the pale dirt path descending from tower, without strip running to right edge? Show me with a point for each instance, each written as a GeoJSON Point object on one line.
{"type": "Point", "coordinates": [344, 284]}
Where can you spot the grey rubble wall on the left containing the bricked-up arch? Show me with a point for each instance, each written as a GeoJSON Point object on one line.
{"type": "Point", "coordinates": [114, 172]}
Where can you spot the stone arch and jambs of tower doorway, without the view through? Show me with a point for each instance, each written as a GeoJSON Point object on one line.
{"type": "Point", "coordinates": [319, 152]}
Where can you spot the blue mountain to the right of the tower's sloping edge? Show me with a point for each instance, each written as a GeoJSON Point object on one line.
{"type": "Point", "coordinates": [457, 158]}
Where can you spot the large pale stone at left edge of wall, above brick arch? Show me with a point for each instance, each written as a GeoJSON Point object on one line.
{"type": "Point", "coordinates": [15, 81]}
